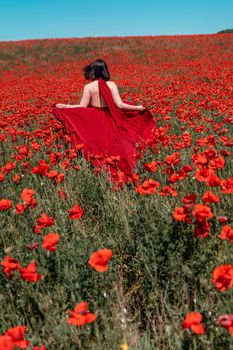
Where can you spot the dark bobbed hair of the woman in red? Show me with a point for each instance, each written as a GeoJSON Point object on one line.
{"type": "Point", "coordinates": [97, 69]}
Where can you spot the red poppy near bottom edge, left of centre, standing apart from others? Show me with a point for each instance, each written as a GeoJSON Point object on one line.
{"type": "Point", "coordinates": [81, 315]}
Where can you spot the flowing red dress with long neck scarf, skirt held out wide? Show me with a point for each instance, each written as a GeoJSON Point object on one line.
{"type": "Point", "coordinates": [107, 131]}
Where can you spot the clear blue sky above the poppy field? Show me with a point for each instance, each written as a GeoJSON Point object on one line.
{"type": "Point", "coordinates": [34, 19]}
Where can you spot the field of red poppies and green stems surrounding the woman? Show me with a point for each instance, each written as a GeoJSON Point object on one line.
{"type": "Point", "coordinates": [91, 263]}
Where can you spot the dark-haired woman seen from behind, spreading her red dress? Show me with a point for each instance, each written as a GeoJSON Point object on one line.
{"type": "Point", "coordinates": [105, 125]}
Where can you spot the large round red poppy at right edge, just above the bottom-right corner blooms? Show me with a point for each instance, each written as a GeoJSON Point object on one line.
{"type": "Point", "coordinates": [223, 277]}
